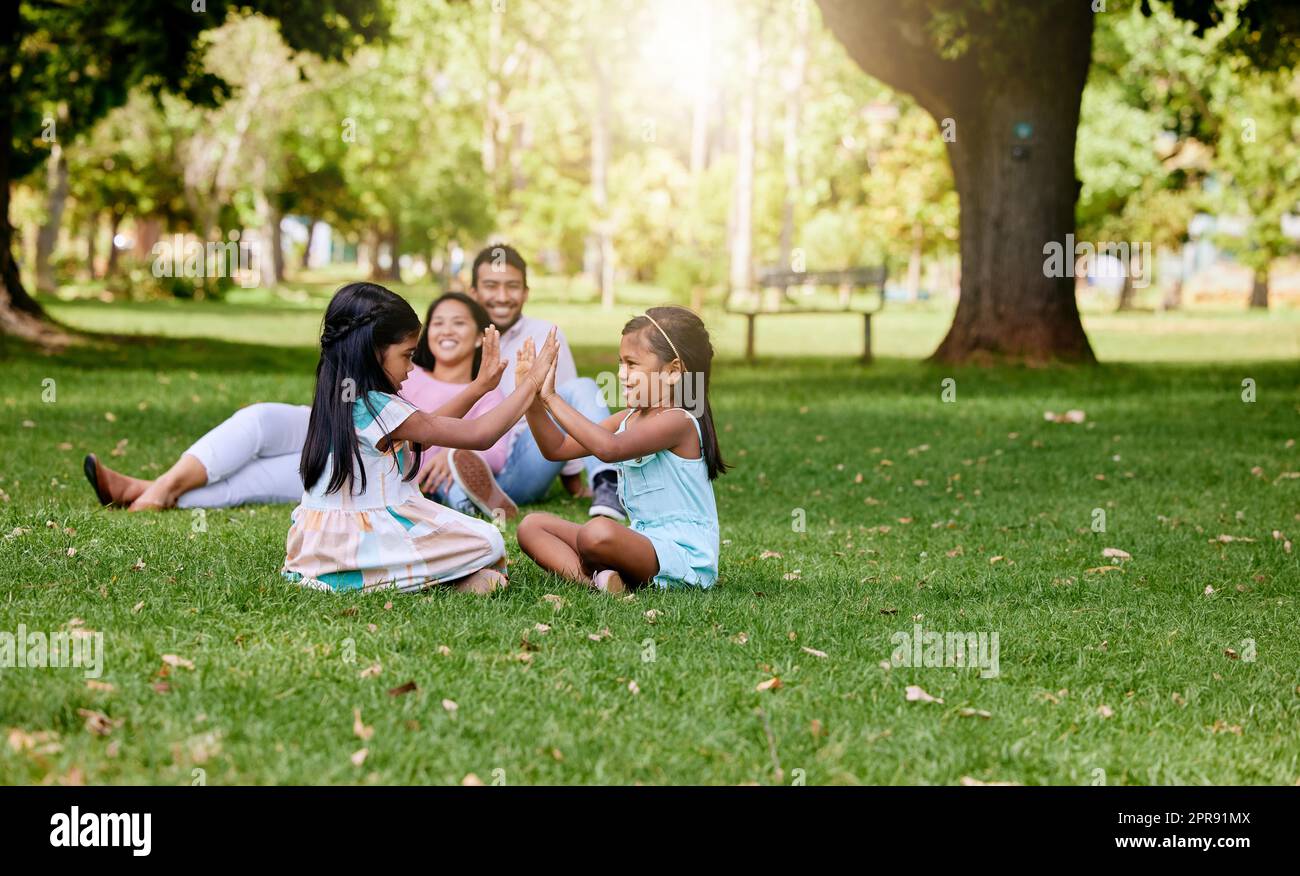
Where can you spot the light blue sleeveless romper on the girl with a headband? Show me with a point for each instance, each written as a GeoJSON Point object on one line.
{"type": "Point", "coordinates": [670, 501]}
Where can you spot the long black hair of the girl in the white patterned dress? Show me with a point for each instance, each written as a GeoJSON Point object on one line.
{"type": "Point", "coordinates": [361, 322]}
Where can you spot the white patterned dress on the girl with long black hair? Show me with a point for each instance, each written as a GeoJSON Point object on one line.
{"type": "Point", "coordinates": [389, 536]}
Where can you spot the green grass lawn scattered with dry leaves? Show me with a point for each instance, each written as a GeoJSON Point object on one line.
{"type": "Point", "coordinates": [967, 517]}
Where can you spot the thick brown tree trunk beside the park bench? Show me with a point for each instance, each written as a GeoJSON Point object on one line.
{"type": "Point", "coordinates": [1017, 196]}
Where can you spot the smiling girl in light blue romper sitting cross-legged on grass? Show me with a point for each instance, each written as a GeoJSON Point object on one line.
{"type": "Point", "coordinates": [666, 448]}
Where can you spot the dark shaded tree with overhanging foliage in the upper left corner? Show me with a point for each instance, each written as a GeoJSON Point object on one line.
{"type": "Point", "coordinates": [88, 57]}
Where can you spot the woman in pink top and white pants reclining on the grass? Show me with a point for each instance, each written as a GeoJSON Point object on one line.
{"type": "Point", "coordinates": [254, 457]}
